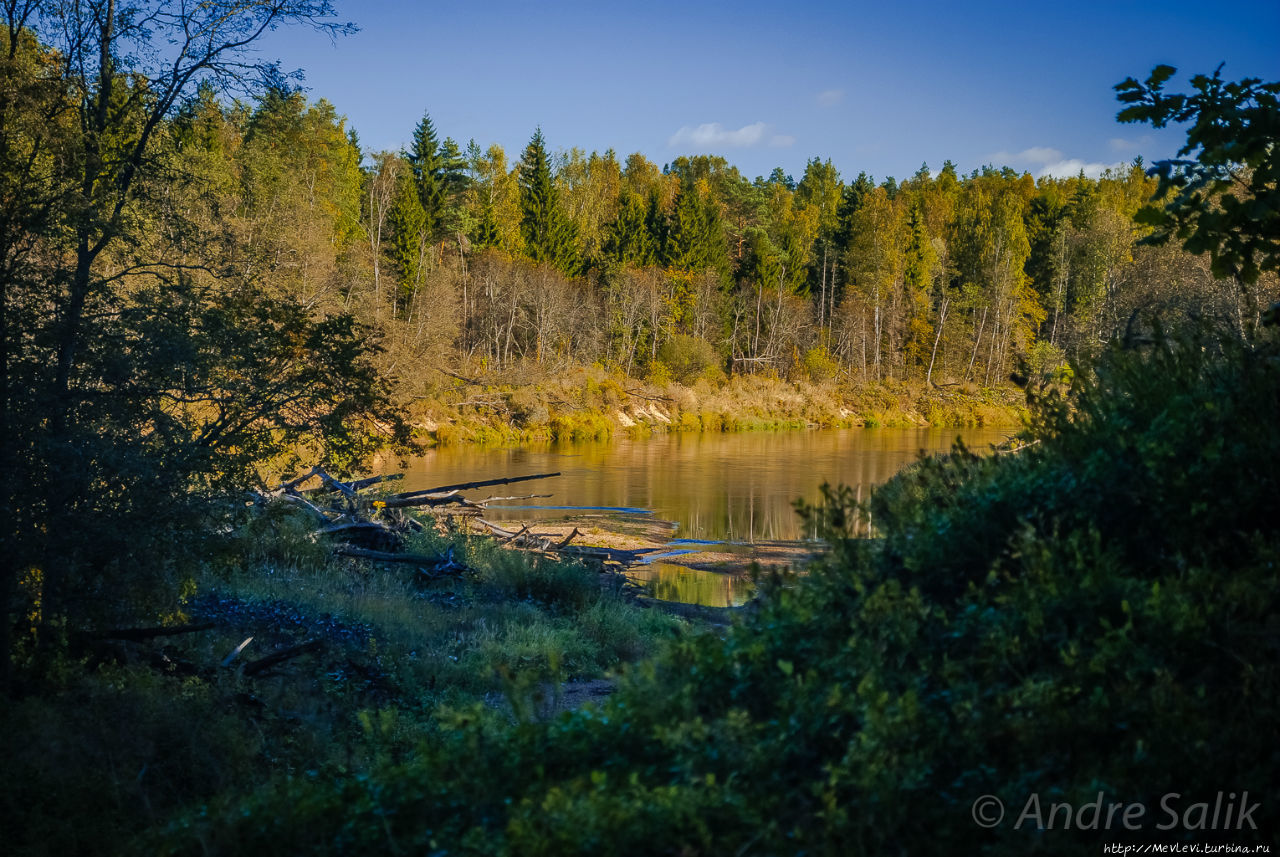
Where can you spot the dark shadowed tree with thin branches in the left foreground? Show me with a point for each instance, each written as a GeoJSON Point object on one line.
{"type": "Point", "coordinates": [147, 370]}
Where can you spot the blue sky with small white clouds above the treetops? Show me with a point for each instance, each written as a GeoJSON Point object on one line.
{"type": "Point", "coordinates": [874, 86]}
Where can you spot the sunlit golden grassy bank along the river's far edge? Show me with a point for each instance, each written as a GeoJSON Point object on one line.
{"type": "Point", "coordinates": [591, 404]}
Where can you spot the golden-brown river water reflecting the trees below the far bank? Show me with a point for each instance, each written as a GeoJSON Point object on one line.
{"type": "Point", "coordinates": [714, 487]}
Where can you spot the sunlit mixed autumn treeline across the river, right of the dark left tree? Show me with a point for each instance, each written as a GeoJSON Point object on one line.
{"type": "Point", "coordinates": [468, 259]}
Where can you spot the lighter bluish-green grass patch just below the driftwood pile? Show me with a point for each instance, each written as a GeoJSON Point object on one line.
{"type": "Point", "coordinates": [451, 641]}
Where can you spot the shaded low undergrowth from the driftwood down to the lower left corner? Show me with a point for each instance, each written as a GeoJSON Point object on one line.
{"type": "Point", "coordinates": [124, 735]}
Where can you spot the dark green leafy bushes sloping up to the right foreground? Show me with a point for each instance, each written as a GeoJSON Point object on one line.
{"type": "Point", "coordinates": [1095, 615]}
